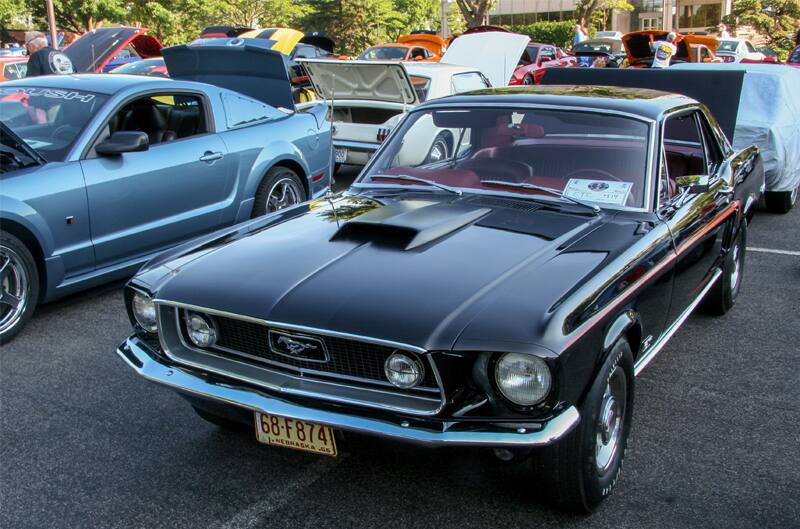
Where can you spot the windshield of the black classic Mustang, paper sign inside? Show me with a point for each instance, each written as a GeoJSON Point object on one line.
{"type": "Point", "coordinates": [589, 156]}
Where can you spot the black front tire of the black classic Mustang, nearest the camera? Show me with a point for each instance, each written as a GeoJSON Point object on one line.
{"type": "Point", "coordinates": [569, 473]}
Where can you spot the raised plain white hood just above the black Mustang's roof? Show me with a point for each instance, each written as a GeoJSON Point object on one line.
{"type": "Point", "coordinates": [494, 53]}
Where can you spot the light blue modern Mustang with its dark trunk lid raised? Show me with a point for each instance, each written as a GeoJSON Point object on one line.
{"type": "Point", "coordinates": [100, 173]}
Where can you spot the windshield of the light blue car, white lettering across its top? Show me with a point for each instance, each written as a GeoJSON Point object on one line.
{"type": "Point", "coordinates": [49, 120]}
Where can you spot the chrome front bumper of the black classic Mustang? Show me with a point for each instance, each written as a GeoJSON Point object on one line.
{"type": "Point", "coordinates": [145, 363]}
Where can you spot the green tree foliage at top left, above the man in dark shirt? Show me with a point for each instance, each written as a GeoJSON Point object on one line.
{"type": "Point", "coordinates": [79, 15]}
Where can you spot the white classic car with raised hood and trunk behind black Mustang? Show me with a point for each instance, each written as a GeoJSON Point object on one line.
{"type": "Point", "coordinates": [369, 98]}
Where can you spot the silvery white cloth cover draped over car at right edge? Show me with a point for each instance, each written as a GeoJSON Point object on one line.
{"type": "Point", "coordinates": [769, 116]}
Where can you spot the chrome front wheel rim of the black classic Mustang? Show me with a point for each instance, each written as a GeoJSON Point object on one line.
{"type": "Point", "coordinates": [610, 421]}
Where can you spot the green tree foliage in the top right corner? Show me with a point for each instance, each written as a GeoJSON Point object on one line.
{"type": "Point", "coordinates": [775, 20]}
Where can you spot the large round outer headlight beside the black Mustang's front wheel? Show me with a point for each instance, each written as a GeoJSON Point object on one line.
{"type": "Point", "coordinates": [522, 379]}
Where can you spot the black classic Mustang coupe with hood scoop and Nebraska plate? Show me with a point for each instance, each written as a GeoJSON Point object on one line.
{"type": "Point", "coordinates": [504, 296]}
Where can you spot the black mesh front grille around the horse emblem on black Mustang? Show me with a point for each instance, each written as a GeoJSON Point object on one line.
{"type": "Point", "coordinates": [249, 341]}
